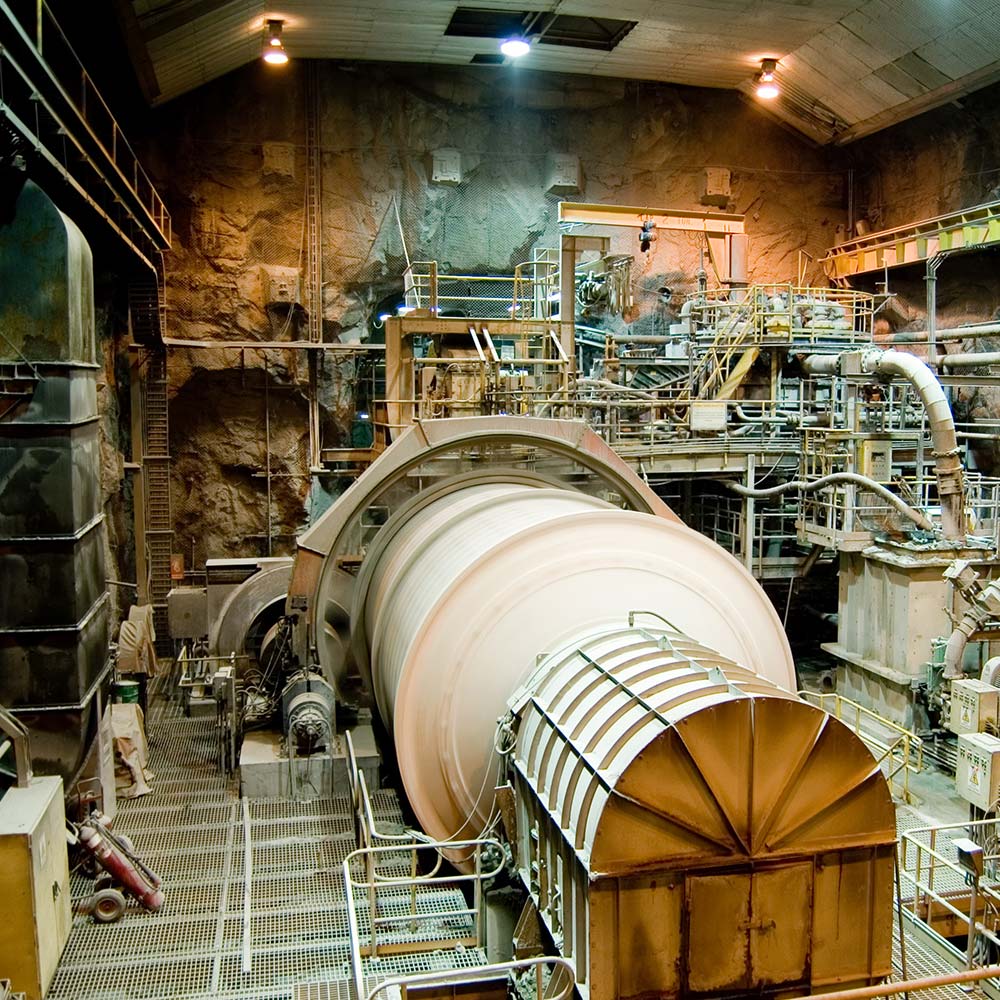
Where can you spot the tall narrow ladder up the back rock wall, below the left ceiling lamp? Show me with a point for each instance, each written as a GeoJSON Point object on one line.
{"type": "Point", "coordinates": [314, 275]}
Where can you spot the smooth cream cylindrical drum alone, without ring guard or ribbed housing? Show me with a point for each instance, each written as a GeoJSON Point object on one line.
{"type": "Point", "coordinates": [478, 583]}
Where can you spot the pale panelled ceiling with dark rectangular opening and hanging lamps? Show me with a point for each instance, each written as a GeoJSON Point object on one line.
{"type": "Point", "coordinates": [846, 68]}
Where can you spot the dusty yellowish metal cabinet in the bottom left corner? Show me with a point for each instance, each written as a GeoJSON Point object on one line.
{"type": "Point", "coordinates": [34, 884]}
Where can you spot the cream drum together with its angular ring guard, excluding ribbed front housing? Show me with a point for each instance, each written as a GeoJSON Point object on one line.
{"type": "Point", "coordinates": [503, 537]}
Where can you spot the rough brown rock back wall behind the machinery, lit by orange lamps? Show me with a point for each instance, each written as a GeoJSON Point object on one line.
{"type": "Point", "coordinates": [231, 161]}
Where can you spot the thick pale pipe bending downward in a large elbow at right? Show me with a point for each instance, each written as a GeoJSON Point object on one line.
{"type": "Point", "coordinates": [947, 465]}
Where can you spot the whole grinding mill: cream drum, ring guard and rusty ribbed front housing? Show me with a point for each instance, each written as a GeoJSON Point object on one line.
{"type": "Point", "coordinates": [526, 613]}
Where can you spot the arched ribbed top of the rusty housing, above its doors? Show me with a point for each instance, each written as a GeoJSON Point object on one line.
{"type": "Point", "coordinates": [649, 748]}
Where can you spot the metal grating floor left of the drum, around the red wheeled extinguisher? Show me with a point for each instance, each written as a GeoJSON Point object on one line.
{"type": "Point", "coordinates": [190, 831]}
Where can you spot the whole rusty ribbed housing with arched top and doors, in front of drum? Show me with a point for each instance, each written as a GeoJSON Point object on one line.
{"type": "Point", "coordinates": [674, 804]}
